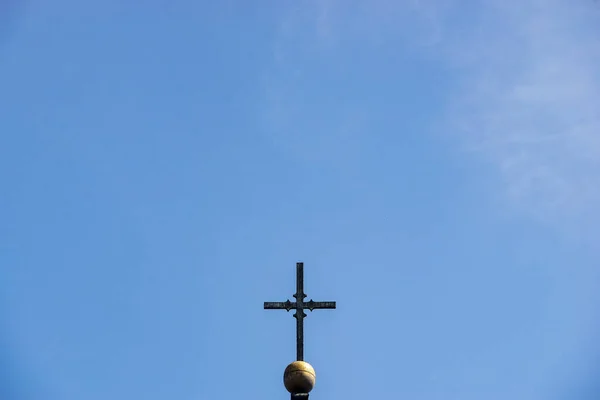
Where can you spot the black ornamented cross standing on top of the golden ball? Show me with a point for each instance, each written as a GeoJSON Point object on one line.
{"type": "Point", "coordinates": [299, 305]}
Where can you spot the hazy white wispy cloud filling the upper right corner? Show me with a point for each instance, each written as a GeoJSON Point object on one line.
{"type": "Point", "coordinates": [530, 101]}
